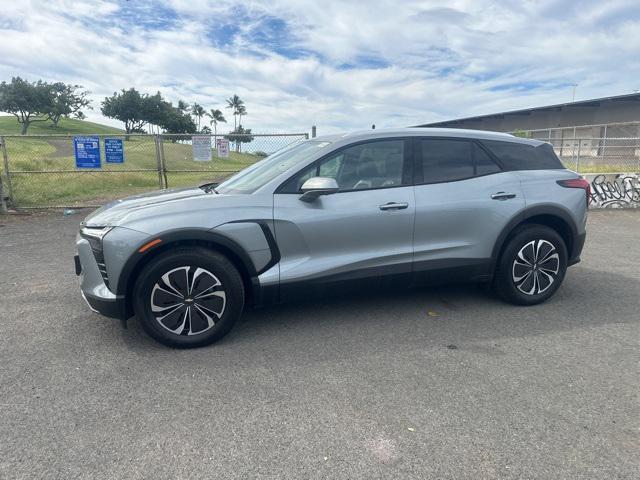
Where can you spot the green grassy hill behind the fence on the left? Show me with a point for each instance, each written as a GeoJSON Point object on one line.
{"type": "Point", "coordinates": [43, 171]}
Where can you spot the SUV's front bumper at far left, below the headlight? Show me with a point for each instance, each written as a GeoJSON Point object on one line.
{"type": "Point", "coordinates": [92, 285]}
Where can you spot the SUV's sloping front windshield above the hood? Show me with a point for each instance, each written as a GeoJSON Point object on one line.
{"type": "Point", "coordinates": [262, 172]}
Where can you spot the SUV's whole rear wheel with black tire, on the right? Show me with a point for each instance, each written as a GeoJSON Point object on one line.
{"type": "Point", "coordinates": [521, 277]}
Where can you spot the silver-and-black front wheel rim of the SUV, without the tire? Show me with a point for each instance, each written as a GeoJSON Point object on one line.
{"type": "Point", "coordinates": [188, 300]}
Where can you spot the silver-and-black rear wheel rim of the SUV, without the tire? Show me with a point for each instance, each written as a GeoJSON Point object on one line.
{"type": "Point", "coordinates": [535, 267]}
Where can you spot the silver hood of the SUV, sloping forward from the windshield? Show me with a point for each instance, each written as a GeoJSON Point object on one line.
{"type": "Point", "coordinates": [113, 213]}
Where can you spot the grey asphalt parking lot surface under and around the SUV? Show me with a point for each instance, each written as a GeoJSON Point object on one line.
{"type": "Point", "coordinates": [432, 383]}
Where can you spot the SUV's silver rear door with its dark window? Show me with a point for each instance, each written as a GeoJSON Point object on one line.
{"type": "Point", "coordinates": [463, 201]}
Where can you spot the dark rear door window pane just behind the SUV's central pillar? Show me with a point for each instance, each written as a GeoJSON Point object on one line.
{"type": "Point", "coordinates": [446, 160]}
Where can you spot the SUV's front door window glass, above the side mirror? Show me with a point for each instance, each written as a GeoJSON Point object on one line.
{"type": "Point", "coordinates": [377, 164]}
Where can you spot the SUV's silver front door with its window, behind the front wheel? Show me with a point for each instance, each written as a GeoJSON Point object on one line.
{"type": "Point", "coordinates": [364, 231]}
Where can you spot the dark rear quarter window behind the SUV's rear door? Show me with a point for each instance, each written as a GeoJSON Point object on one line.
{"type": "Point", "coordinates": [520, 156]}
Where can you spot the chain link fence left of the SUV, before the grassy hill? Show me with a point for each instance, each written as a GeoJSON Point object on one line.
{"type": "Point", "coordinates": [39, 171]}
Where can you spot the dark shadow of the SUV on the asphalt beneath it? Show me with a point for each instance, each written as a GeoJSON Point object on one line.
{"type": "Point", "coordinates": [445, 316]}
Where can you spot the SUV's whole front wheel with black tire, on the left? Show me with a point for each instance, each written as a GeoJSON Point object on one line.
{"type": "Point", "coordinates": [192, 321]}
